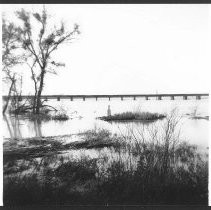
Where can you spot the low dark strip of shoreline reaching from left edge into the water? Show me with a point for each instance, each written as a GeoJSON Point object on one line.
{"type": "Point", "coordinates": [44, 146]}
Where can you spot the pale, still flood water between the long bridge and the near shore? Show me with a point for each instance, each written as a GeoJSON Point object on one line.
{"type": "Point", "coordinates": [83, 116]}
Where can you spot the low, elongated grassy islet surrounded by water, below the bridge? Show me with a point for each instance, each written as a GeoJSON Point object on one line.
{"type": "Point", "coordinates": [131, 116]}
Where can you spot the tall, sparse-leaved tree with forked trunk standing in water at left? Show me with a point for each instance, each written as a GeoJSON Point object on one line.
{"type": "Point", "coordinates": [41, 48]}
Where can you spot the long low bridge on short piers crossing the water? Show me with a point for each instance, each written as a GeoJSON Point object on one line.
{"type": "Point", "coordinates": [185, 96]}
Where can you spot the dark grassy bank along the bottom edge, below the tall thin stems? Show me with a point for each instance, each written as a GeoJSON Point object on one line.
{"type": "Point", "coordinates": [81, 182]}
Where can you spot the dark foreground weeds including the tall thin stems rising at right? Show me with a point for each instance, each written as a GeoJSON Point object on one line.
{"type": "Point", "coordinates": [166, 172]}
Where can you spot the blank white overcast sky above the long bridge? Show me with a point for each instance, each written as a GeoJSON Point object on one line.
{"type": "Point", "coordinates": [130, 49]}
